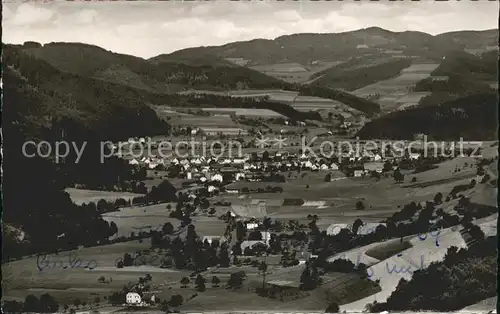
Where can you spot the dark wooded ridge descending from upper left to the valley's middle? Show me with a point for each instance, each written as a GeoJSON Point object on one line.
{"type": "Point", "coordinates": [167, 74]}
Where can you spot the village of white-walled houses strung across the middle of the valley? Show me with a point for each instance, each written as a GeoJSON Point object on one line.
{"type": "Point", "coordinates": [254, 168]}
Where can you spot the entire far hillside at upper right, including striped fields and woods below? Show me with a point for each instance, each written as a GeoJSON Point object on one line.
{"type": "Point", "coordinates": [353, 60]}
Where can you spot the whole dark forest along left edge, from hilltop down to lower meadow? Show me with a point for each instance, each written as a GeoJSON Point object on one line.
{"type": "Point", "coordinates": [42, 103]}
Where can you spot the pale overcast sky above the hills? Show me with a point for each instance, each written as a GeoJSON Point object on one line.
{"type": "Point", "coordinates": [146, 29]}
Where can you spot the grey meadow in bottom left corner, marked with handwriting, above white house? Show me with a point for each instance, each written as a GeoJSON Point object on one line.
{"type": "Point", "coordinates": [20, 277]}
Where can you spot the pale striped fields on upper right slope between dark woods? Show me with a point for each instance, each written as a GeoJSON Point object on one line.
{"type": "Point", "coordinates": [396, 92]}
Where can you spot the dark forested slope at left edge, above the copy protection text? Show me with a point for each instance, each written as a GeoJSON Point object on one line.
{"type": "Point", "coordinates": [42, 94]}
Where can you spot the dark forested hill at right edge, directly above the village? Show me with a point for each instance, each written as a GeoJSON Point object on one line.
{"type": "Point", "coordinates": [473, 118]}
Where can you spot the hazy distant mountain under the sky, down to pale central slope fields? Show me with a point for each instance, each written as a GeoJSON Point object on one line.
{"type": "Point", "coordinates": [310, 54]}
